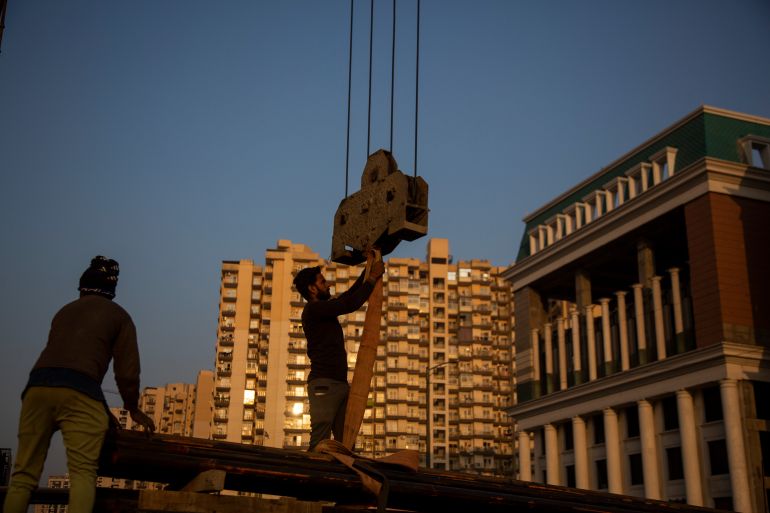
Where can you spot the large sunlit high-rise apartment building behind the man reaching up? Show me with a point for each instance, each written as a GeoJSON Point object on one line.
{"type": "Point", "coordinates": [449, 324]}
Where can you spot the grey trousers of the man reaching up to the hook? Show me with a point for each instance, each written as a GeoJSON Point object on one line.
{"type": "Point", "coordinates": [328, 400]}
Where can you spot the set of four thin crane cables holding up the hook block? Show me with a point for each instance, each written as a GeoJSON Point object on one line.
{"type": "Point", "coordinates": [392, 86]}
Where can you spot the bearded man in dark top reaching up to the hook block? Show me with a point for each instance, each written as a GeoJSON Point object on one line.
{"type": "Point", "coordinates": [327, 382]}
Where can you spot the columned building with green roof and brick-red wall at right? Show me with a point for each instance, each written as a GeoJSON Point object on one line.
{"type": "Point", "coordinates": [643, 321]}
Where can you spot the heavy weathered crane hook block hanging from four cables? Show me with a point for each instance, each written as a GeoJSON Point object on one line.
{"type": "Point", "coordinates": [389, 208]}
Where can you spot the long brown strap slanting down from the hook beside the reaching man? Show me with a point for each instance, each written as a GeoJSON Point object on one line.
{"type": "Point", "coordinates": [362, 376]}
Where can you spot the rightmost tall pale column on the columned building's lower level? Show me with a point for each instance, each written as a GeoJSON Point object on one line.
{"type": "Point", "coordinates": [736, 453]}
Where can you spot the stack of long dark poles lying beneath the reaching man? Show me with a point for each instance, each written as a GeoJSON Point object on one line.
{"type": "Point", "coordinates": [316, 477]}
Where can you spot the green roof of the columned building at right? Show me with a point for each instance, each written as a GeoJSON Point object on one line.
{"type": "Point", "coordinates": [706, 133]}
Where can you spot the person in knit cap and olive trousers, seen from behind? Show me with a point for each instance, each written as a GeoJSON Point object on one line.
{"type": "Point", "coordinates": [64, 389]}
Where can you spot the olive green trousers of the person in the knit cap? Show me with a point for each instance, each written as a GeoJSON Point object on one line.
{"type": "Point", "coordinates": [83, 422]}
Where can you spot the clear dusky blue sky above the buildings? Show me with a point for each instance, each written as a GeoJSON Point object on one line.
{"type": "Point", "coordinates": [174, 135]}
